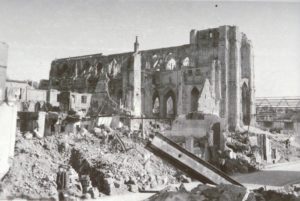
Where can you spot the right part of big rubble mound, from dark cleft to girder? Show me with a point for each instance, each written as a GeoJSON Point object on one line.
{"type": "Point", "coordinates": [113, 171]}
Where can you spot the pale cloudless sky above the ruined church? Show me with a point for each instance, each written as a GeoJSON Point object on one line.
{"type": "Point", "coordinates": [38, 31]}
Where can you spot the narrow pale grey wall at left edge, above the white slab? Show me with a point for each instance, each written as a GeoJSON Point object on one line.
{"type": "Point", "coordinates": [3, 66]}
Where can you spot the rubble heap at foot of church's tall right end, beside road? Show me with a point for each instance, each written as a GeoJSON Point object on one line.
{"type": "Point", "coordinates": [243, 153]}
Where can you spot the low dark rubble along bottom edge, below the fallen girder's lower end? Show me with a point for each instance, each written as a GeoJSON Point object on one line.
{"type": "Point", "coordinates": [223, 192]}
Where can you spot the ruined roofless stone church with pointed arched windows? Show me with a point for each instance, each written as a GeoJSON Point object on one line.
{"type": "Point", "coordinates": [212, 74]}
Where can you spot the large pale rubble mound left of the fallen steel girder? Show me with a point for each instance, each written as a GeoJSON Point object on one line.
{"type": "Point", "coordinates": [34, 167]}
